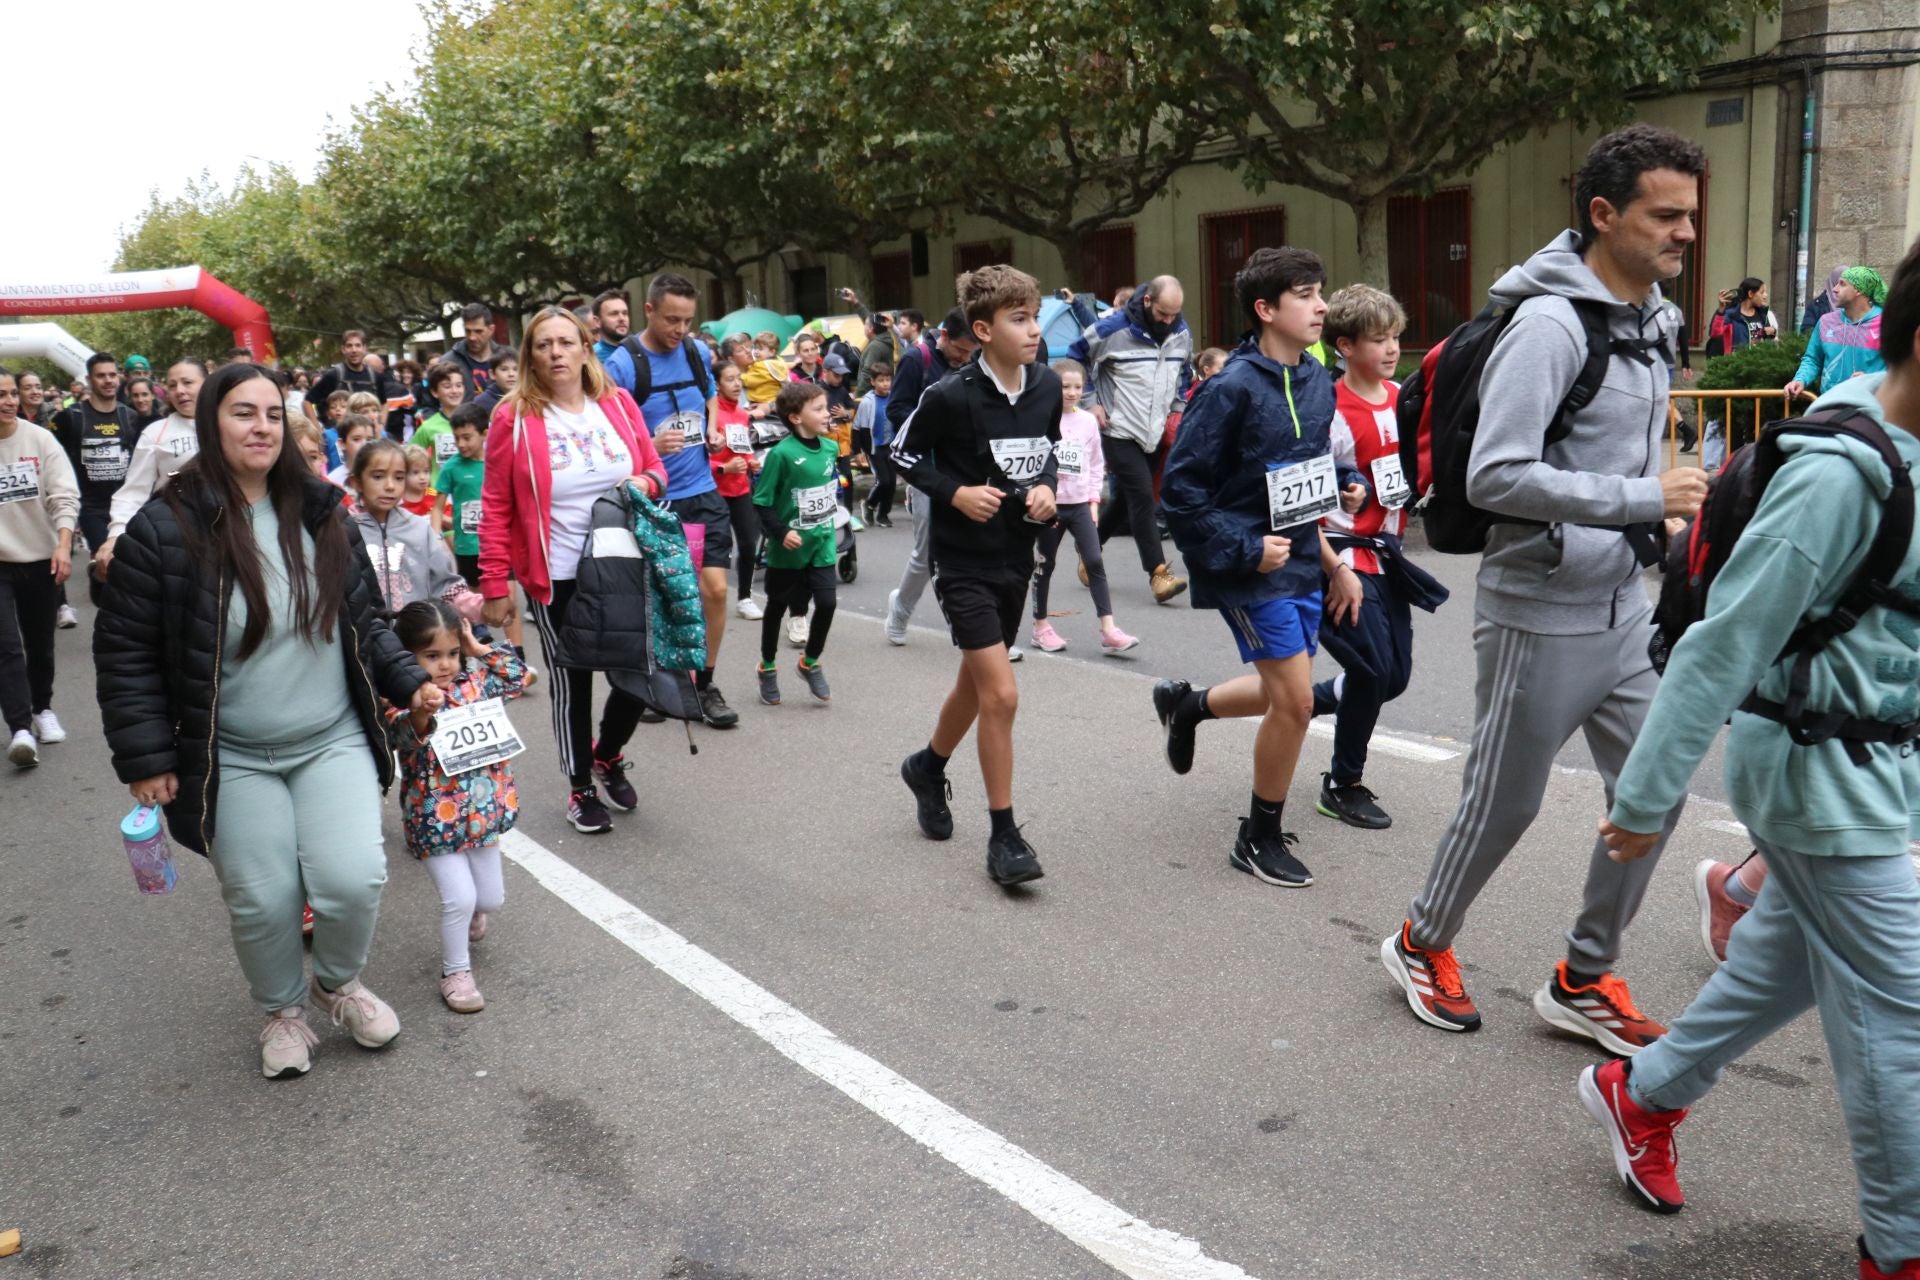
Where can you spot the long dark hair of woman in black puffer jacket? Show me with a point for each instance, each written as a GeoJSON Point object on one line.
{"type": "Point", "coordinates": [229, 544]}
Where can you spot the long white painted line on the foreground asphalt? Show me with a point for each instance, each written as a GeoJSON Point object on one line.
{"type": "Point", "coordinates": [1097, 1225]}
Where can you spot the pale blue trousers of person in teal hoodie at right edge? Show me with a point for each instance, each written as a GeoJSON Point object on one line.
{"type": "Point", "coordinates": [1842, 936]}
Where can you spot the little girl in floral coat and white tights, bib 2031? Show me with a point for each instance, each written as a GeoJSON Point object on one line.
{"type": "Point", "coordinates": [454, 822]}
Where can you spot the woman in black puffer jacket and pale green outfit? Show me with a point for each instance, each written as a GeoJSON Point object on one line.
{"type": "Point", "coordinates": [239, 657]}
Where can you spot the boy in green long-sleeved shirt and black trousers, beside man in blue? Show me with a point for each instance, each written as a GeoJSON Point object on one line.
{"type": "Point", "coordinates": [798, 498]}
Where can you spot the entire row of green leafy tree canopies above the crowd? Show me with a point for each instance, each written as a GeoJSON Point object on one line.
{"type": "Point", "coordinates": [552, 149]}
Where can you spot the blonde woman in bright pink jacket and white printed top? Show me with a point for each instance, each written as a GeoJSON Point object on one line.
{"type": "Point", "coordinates": [560, 440]}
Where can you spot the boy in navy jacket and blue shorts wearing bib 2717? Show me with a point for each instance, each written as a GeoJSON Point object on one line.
{"type": "Point", "coordinates": [1247, 485]}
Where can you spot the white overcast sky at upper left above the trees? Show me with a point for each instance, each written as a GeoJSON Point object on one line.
{"type": "Point", "coordinates": [116, 101]}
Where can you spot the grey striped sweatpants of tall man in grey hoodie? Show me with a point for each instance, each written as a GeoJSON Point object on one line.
{"type": "Point", "coordinates": [1531, 696]}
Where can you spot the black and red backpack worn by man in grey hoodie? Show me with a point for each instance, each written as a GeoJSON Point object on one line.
{"type": "Point", "coordinates": [1439, 415]}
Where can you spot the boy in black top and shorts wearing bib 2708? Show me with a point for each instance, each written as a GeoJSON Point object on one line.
{"type": "Point", "coordinates": [982, 448]}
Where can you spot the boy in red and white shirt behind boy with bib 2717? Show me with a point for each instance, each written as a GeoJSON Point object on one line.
{"type": "Point", "coordinates": [1374, 646]}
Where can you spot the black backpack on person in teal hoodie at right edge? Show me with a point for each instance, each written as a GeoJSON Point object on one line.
{"type": "Point", "coordinates": [1702, 552]}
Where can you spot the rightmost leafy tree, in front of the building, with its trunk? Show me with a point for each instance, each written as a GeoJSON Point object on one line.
{"type": "Point", "coordinates": [1372, 99]}
